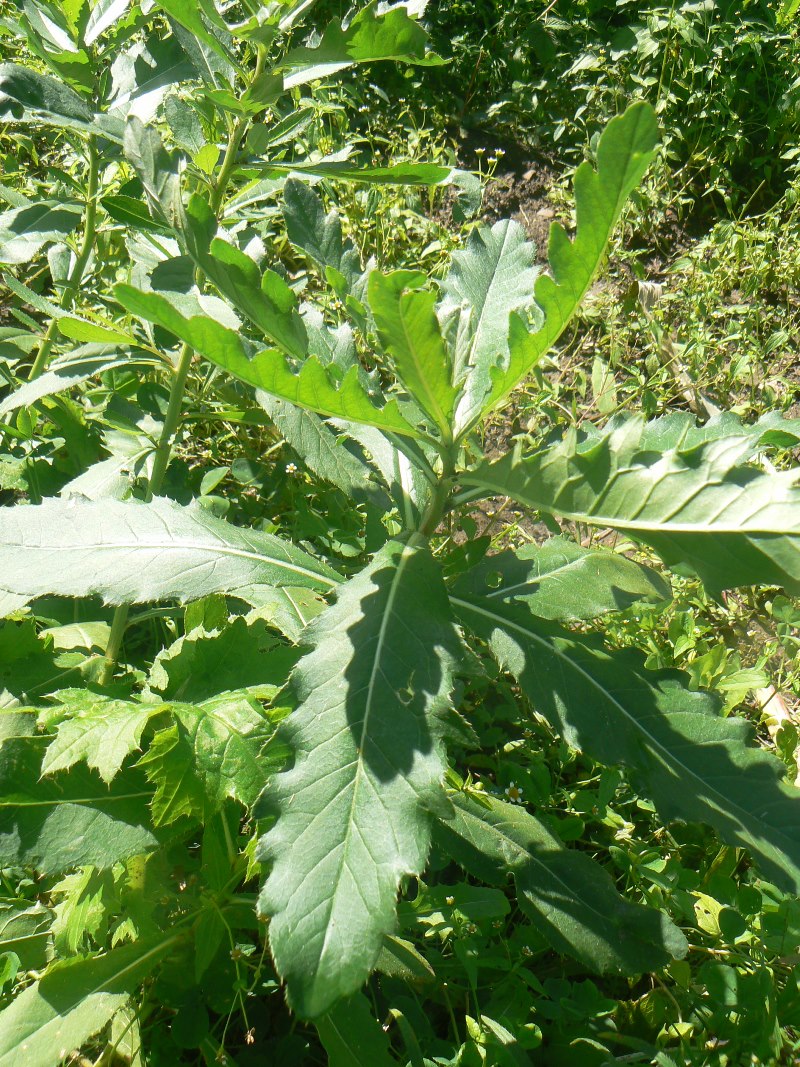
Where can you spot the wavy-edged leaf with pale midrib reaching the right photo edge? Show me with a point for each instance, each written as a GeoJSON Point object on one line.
{"type": "Point", "coordinates": [701, 507]}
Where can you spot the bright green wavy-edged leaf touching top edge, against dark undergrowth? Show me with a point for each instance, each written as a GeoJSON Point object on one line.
{"type": "Point", "coordinates": [373, 35]}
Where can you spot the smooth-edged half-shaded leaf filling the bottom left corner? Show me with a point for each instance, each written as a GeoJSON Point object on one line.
{"type": "Point", "coordinates": [74, 1001]}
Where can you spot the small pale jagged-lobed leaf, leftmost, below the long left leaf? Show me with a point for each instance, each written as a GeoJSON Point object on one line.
{"type": "Point", "coordinates": [97, 729]}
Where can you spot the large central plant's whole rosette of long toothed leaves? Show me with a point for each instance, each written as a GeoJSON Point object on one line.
{"type": "Point", "coordinates": [351, 813]}
